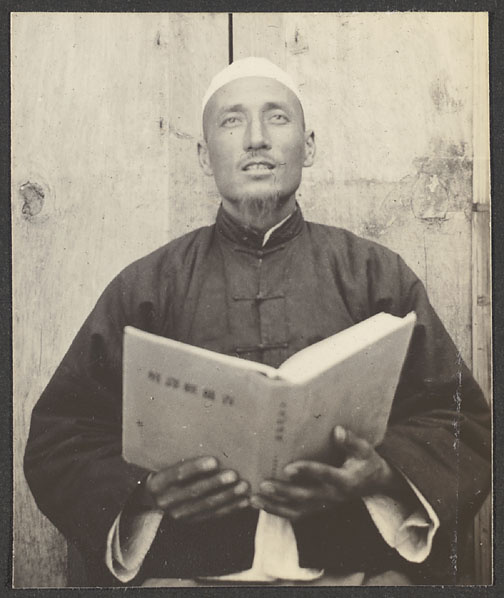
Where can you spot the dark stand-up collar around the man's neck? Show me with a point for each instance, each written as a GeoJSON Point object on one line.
{"type": "Point", "coordinates": [242, 235]}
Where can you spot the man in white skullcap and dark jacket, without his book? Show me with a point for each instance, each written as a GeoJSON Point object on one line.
{"type": "Point", "coordinates": [262, 284]}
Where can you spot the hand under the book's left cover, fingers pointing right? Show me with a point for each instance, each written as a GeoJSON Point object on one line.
{"type": "Point", "coordinates": [194, 490]}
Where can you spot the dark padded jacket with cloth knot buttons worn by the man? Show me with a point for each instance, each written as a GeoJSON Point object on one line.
{"type": "Point", "coordinates": [219, 289]}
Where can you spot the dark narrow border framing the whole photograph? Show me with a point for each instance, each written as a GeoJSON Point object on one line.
{"type": "Point", "coordinates": [496, 33]}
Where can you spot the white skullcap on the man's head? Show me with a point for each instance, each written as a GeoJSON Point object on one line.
{"type": "Point", "coordinates": [249, 67]}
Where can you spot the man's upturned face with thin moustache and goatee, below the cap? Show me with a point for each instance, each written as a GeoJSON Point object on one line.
{"type": "Point", "coordinates": [256, 144]}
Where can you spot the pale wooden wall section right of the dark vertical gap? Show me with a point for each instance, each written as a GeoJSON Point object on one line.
{"type": "Point", "coordinates": [399, 106]}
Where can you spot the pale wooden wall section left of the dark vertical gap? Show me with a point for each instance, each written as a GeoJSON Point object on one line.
{"type": "Point", "coordinates": [105, 118]}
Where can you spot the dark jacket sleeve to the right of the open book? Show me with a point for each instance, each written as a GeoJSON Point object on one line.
{"type": "Point", "coordinates": [439, 429]}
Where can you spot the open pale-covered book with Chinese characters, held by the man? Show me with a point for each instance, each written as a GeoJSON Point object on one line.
{"type": "Point", "coordinates": [181, 401]}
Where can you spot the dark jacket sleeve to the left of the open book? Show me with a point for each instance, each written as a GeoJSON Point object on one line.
{"type": "Point", "coordinates": [73, 461]}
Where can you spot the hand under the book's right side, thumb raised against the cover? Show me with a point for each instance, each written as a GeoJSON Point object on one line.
{"type": "Point", "coordinates": [312, 486]}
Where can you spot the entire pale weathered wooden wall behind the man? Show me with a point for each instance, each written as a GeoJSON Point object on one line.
{"type": "Point", "coordinates": [105, 117]}
